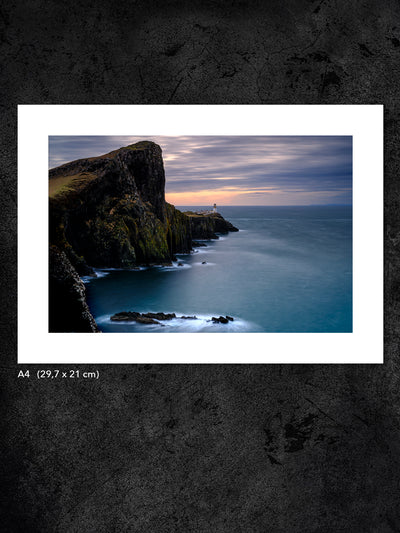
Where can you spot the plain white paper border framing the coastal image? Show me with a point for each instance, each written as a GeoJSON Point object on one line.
{"type": "Point", "coordinates": [37, 122]}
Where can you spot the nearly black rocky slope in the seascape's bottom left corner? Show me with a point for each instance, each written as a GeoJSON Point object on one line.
{"type": "Point", "coordinates": [68, 310]}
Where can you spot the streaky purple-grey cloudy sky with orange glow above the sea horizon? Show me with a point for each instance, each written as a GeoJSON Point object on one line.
{"type": "Point", "coordinates": [236, 170]}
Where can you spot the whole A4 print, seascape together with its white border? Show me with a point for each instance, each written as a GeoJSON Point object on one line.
{"type": "Point", "coordinates": [248, 234]}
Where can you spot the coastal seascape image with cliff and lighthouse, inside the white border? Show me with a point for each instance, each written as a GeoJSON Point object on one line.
{"type": "Point", "coordinates": [216, 234]}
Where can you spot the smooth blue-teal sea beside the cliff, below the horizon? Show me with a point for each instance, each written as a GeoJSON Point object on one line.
{"type": "Point", "coordinates": [287, 269]}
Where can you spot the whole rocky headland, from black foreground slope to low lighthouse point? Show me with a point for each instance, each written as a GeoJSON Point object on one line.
{"type": "Point", "coordinates": [110, 212]}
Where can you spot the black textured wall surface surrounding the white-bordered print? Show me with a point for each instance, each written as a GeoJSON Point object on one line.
{"type": "Point", "coordinates": [201, 448]}
